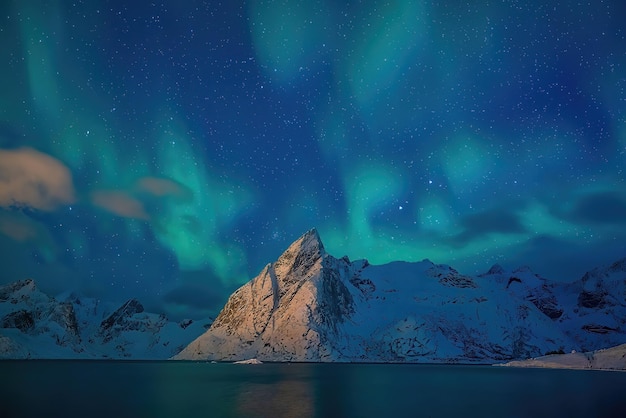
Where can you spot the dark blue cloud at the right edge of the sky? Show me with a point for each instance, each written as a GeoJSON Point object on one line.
{"type": "Point", "coordinates": [600, 208]}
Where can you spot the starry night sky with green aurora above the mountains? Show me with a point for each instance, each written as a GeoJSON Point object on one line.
{"type": "Point", "coordinates": [168, 150]}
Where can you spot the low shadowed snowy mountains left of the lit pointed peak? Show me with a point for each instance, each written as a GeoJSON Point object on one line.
{"type": "Point", "coordinates": [35, 325]}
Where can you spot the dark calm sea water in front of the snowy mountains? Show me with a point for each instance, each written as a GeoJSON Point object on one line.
{"type": "Point", "coordinates": [198, 389]}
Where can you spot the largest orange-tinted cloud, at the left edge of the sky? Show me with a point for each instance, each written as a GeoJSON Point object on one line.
{"type": "Point", "coordinates": [34, 179]}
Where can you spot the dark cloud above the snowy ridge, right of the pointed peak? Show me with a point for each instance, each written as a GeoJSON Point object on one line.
{"type": "Point", "coordinates": [501, 221]}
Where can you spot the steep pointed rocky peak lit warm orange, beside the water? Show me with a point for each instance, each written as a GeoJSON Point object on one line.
{"type": "Point", "coordinates": [293, 310]}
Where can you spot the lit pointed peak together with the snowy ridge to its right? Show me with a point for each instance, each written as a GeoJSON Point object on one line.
{"type": "Point", "coordinates": [311, 306]}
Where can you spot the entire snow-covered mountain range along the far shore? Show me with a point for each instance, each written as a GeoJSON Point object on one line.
{"type": "Point", "coordinates": [311, 306]}
